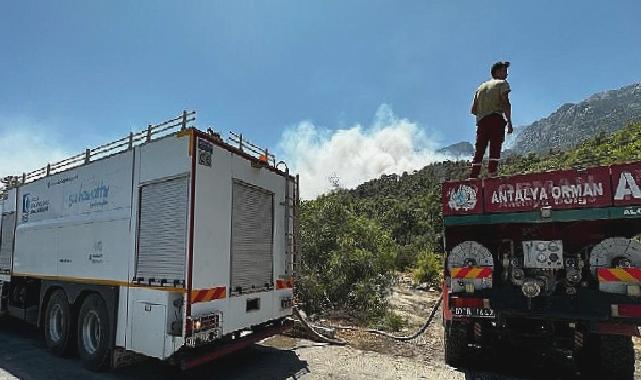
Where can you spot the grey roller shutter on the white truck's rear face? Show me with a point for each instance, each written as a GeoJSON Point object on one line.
{"type": "Point", "coordinates": [252, 238]}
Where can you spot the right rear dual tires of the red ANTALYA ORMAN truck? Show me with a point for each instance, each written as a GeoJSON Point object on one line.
{"type": "Point", "coordinates": [607, 357]}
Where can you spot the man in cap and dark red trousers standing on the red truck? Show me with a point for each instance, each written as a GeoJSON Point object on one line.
{"type": "Point", "coordinates": [493, 113]}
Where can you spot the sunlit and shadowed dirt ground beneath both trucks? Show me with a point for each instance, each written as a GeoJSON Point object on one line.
{"type": "Point", "coordinates": [23, 356]}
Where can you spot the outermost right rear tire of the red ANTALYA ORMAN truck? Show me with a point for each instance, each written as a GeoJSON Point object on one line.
{"type": "Point", "coordinates": [617, 357]}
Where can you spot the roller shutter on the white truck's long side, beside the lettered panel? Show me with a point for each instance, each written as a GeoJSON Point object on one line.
{"type": "Point", "coordinates": [162, 236]}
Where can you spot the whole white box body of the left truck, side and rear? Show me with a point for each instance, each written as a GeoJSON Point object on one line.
{"type": "Point", "coordinates": [84, 225]}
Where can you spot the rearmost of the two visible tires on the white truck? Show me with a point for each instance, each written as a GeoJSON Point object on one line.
{"type": "Point", "coordinates": [94, 334]}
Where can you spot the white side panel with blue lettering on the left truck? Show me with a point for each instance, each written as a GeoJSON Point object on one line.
{"type": "Point", "coordinates": [82, 217]}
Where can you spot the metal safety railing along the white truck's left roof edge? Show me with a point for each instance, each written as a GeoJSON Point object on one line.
{"type": "Point", "coordinates": [152, 132]}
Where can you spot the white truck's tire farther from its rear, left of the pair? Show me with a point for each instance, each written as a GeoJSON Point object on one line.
{"type": "Point", "coordinates": [58, 326]}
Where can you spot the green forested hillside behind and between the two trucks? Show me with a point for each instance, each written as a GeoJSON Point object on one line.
{"type": "Point", "coordinates": [354, 240]}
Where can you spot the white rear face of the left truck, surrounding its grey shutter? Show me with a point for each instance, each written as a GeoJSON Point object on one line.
{"type": "Point", "coordinates": [212, 239]}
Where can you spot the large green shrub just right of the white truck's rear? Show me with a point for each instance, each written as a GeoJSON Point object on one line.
{"type": "Point", "coordinates": [346, 260]}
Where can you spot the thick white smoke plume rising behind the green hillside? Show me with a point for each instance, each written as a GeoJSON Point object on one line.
{"type": "Point", "coordinates": [348, 157]}
